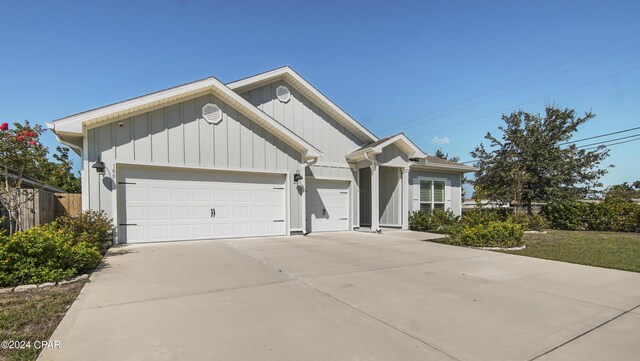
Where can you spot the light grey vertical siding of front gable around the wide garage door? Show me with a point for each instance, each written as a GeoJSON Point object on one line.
{"type": "Point", "coordinates": [176, 135]}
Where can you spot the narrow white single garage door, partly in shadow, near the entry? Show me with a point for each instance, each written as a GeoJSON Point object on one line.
{"type": "Point", "coordinates": [327, 205]}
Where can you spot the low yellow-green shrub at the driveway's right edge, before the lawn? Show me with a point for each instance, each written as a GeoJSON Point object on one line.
{"type": "Point", "coordinates": [493, 234]}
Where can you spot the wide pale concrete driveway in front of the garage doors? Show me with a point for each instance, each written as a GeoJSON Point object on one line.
{"type": "Point", "coordinates": [347, 296]}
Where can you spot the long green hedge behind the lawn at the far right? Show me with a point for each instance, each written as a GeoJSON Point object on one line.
{"type": "Point", "coordinates": [610, 215]}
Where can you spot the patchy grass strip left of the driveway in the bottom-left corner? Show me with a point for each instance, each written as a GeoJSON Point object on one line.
{"type": "Point", "coordinates": [33, 315]}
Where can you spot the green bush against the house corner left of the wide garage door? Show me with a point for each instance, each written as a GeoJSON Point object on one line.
{"type": "Point", "coordinates": [90, 227]}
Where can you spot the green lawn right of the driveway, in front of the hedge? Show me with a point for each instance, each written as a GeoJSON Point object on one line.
{"type": "Point", "coordinates": [601, 249]}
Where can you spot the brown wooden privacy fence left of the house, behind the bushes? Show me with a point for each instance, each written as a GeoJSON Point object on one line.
{"type": "Point", "coordinates": [45, 207]}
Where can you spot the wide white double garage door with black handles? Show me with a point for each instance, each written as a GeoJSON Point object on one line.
{"type": "Point", "coordinates": [168, 204]}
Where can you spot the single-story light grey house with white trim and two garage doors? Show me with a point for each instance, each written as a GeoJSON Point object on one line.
{"type": "Point", "coordinates": [262, 156]}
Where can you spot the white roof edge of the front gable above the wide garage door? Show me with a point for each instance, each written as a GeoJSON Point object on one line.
{"type": "Point", "coordinates": [73, 125]}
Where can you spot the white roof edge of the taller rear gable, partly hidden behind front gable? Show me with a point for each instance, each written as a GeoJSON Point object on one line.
{"type": "Point", "coordinates": [308, 90]}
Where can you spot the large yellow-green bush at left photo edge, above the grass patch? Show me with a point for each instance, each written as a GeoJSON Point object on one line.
{"type": "Point", "coordinates": [44, 254]}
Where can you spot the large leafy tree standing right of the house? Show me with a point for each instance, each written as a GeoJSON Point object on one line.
{"type": "Point", "coordinates": [534, 161]}
